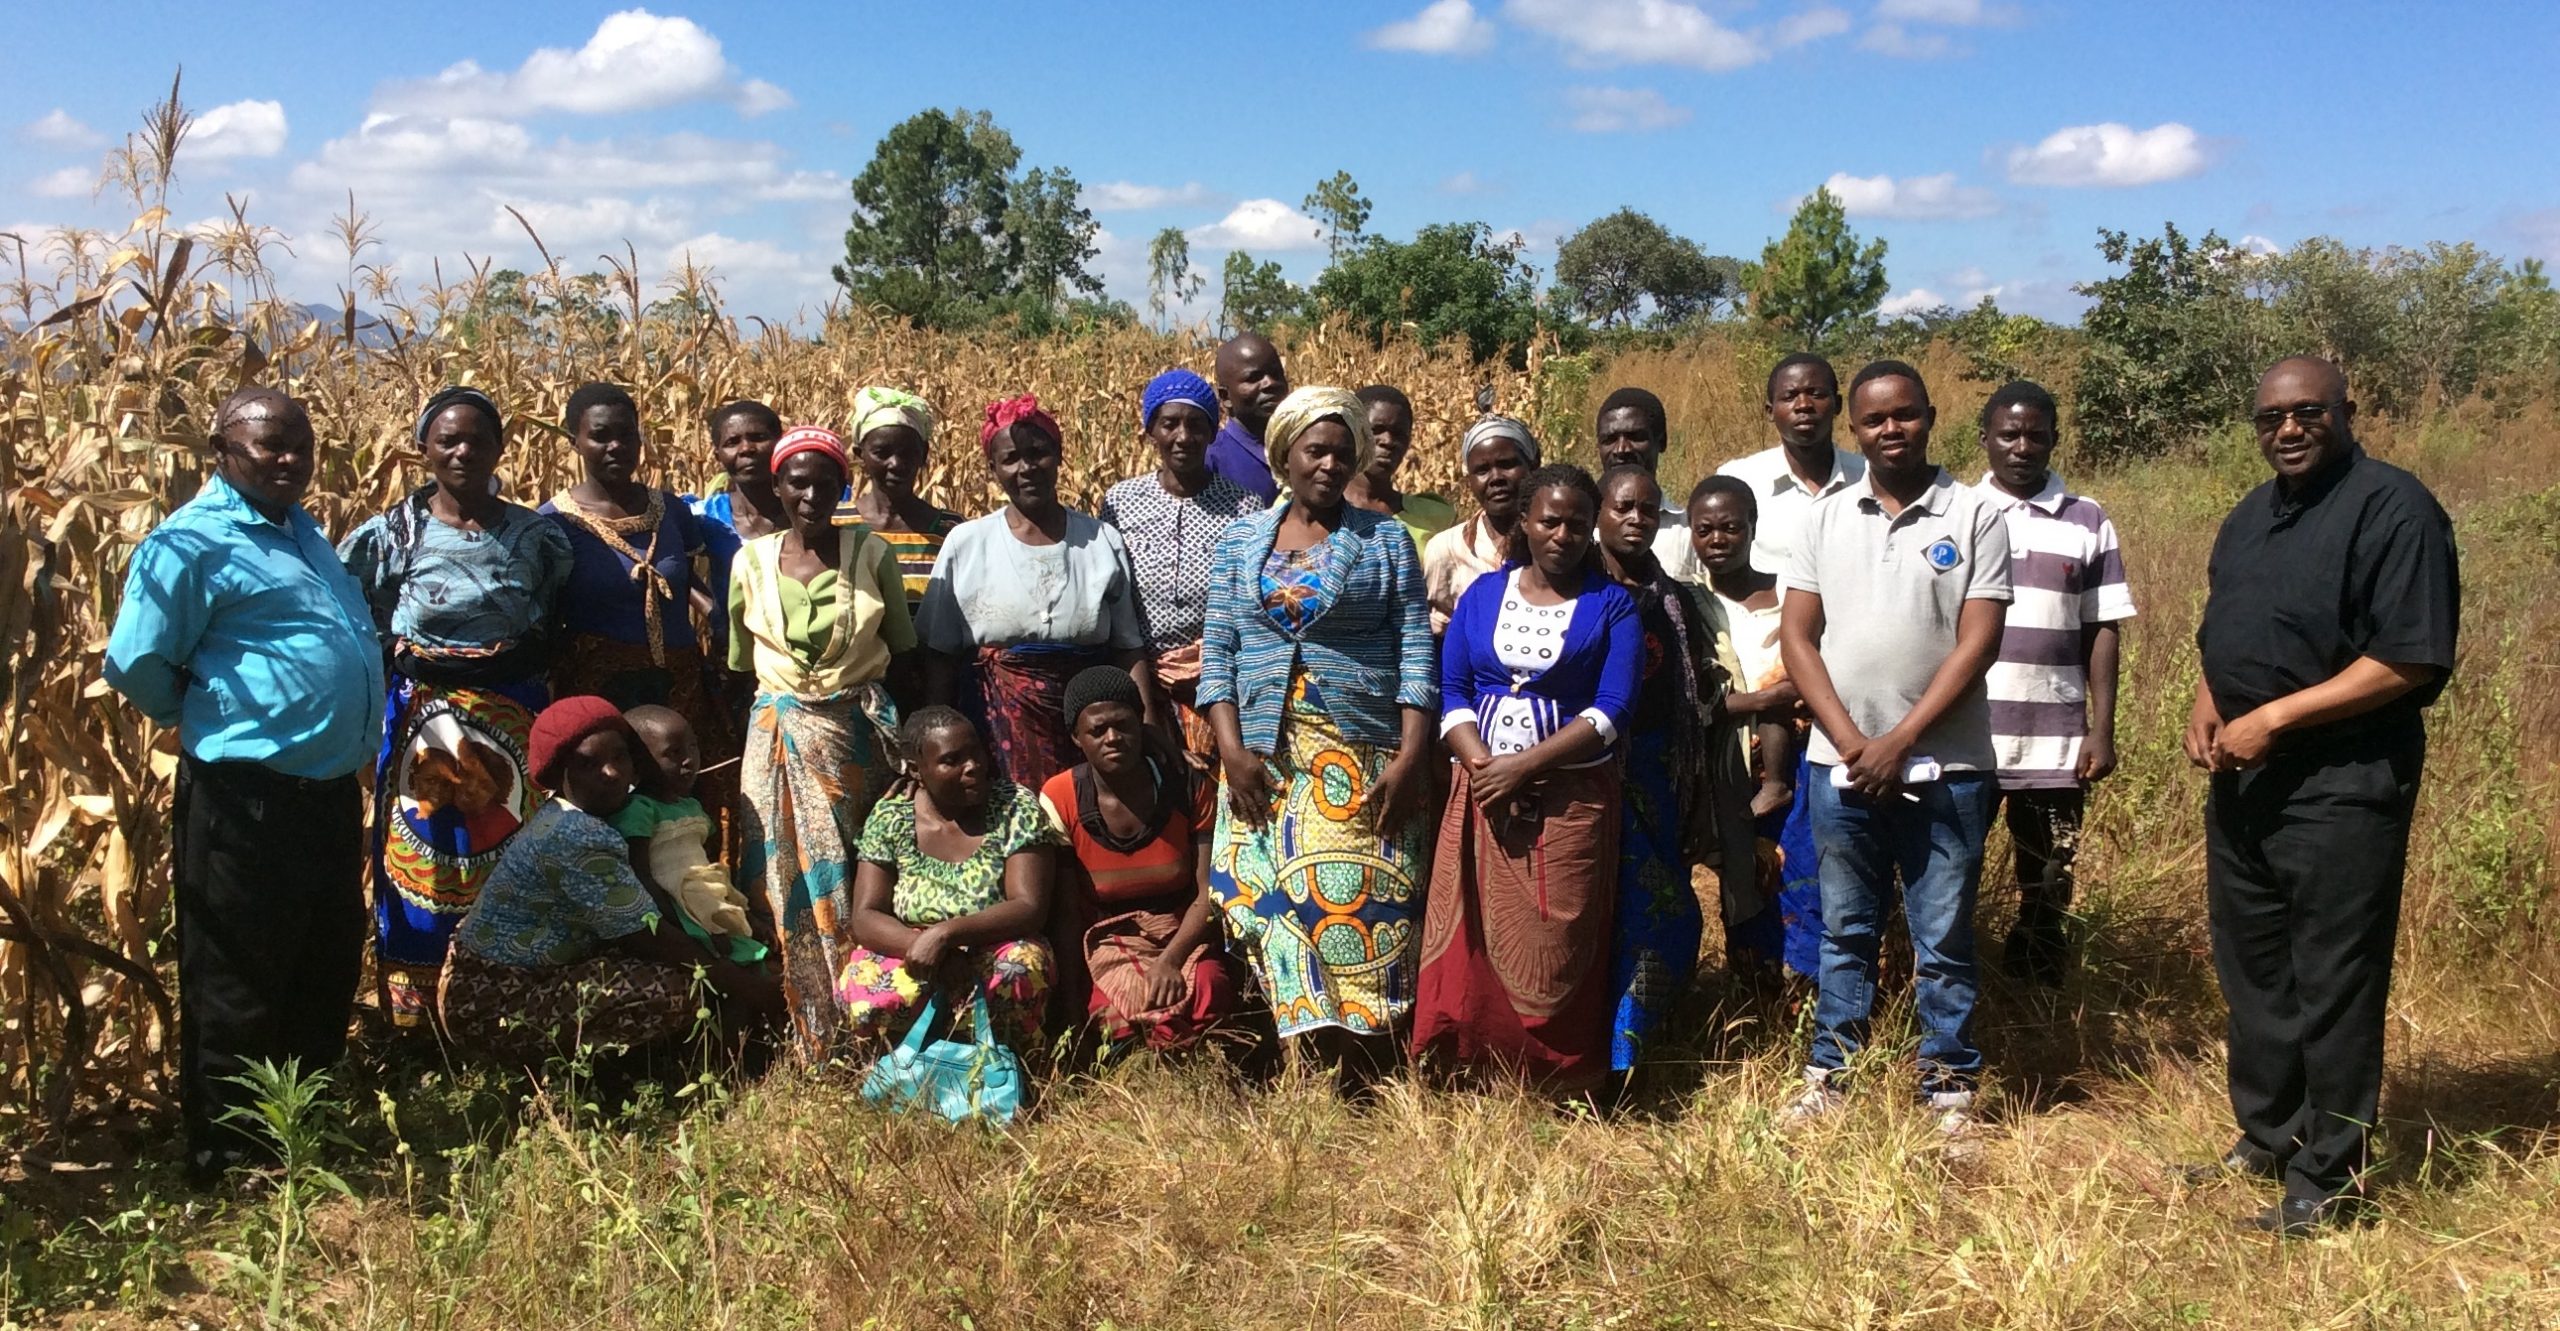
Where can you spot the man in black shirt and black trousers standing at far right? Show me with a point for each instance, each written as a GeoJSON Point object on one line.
{"type": "Point", "coordinates": [2328, 628]}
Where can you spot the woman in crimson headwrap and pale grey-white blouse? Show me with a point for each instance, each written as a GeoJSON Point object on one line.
{"type": "Point", "coordinates": [1033, 595]}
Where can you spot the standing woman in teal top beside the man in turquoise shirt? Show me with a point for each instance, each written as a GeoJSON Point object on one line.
{"type": "Point", "coordinates": [467, 600]}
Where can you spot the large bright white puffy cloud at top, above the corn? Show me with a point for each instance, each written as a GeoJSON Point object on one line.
{"type": "Point", "coordinates": [634, 63]}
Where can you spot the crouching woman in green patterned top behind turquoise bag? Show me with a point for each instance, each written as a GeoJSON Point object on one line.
{"type": "Point", "coordinates": [954, 889]}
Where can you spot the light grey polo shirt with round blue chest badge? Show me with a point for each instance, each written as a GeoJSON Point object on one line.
{"type": "Point", "coordinates": [1893, 590]}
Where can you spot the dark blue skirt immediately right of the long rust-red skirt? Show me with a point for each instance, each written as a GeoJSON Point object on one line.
{"type": "Point", "coordinates": [1660, 923]}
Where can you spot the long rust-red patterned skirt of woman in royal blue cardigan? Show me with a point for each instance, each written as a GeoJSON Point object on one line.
{"type": "Point", "coordinates": [1517, 930]}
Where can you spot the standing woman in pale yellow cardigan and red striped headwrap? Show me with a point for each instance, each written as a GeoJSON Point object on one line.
{"type": "Point", "coordinates": [820, 621]}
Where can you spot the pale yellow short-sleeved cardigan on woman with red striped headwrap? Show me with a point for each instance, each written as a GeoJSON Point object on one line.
{"type": "Point", "coordinates": [872, 618]}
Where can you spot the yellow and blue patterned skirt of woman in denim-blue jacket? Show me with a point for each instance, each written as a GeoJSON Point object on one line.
{"type": "Point", "coordinates": [1317, 902]}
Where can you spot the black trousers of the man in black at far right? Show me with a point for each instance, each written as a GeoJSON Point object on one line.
{"type": "Point", "coordinates": [2305, 884]}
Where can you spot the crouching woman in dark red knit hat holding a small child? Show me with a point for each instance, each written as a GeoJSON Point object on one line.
{"type": "Point", "coordinates": [564, 948]}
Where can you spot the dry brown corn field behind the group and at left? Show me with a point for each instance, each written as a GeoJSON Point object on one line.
{"type": "Point", "coordinates": [119, 352]}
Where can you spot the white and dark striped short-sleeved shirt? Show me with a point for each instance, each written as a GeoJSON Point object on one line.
{"type": "Point", "coordinates": [2065, 575]}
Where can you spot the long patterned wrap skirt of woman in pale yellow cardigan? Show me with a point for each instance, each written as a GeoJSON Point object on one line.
{"type": "Point", "coordinates": [810, 777]}
